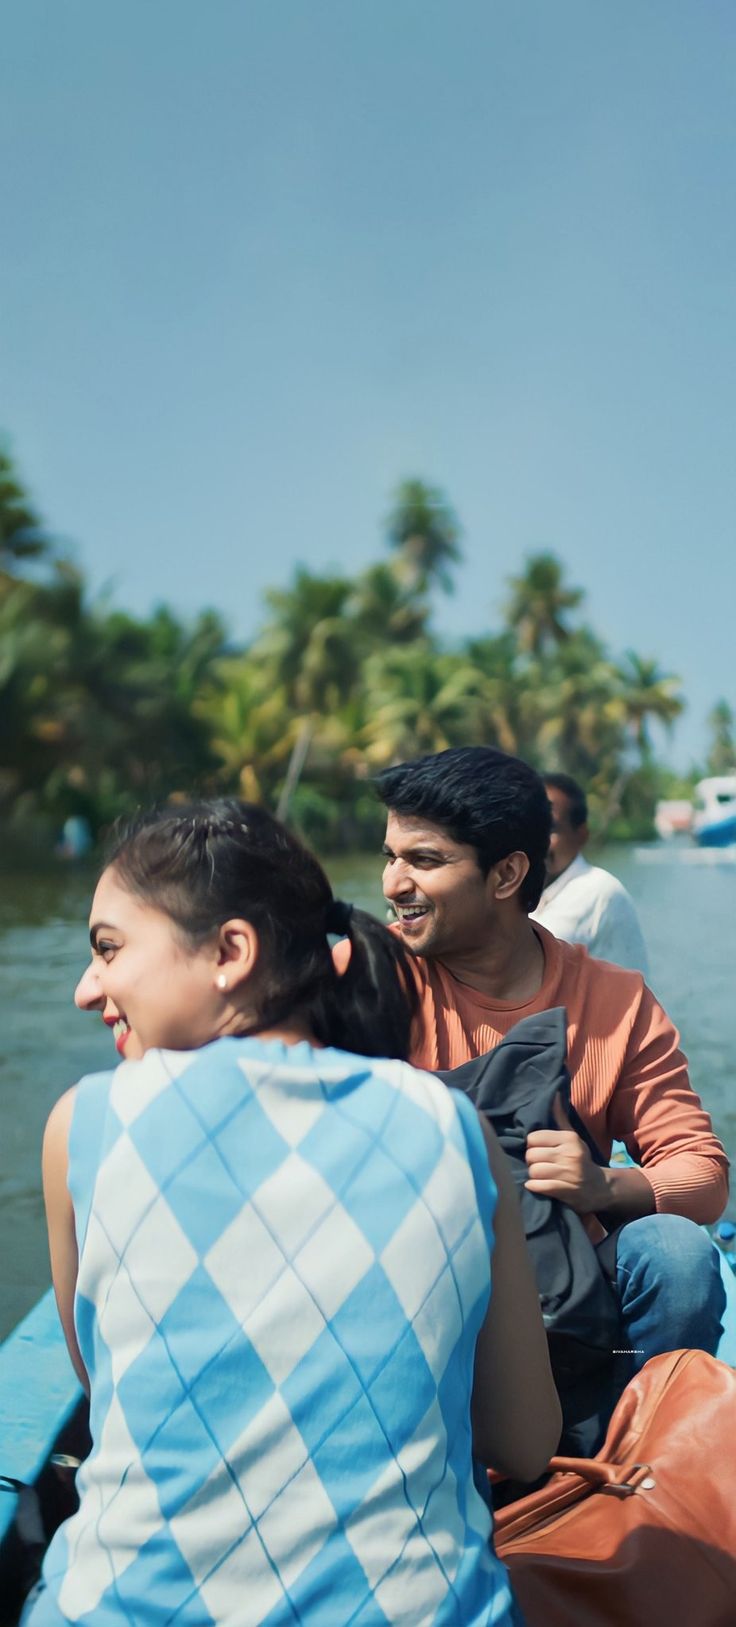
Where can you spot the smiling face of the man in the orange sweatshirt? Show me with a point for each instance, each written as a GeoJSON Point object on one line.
{"type": "Point", "coordinates": [442, 899]}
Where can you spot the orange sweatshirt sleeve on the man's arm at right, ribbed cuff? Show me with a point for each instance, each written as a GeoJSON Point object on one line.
{"type": "Point", "coordinates": [664, 1123]}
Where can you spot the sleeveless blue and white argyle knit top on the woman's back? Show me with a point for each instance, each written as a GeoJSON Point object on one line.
{"type": "Point", "coordinates": [284, 1268]}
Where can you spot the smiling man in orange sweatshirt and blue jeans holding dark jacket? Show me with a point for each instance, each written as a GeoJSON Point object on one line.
{"type": "Point", "coordinates": [467, 842]}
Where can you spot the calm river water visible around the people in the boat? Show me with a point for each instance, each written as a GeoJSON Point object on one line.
{"type": "Point", "coordinates": [688, 910]}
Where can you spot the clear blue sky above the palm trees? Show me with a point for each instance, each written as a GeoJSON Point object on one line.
{"type": "Point", "coordinates": [265, 258]}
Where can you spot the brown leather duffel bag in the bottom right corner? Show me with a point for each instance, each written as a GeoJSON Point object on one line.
{"type": "Point", "coordinates": [646, 1533]}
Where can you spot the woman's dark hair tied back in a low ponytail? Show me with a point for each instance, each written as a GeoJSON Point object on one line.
{"type": "Point", "coordinates": [206, 863]}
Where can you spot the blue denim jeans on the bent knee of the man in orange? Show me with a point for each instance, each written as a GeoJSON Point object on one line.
{"type": "Point", "coordinates": [670, 1288]}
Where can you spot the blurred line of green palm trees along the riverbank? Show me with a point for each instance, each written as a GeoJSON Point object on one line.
{"type": "Point", "coordinates": [102, 712]}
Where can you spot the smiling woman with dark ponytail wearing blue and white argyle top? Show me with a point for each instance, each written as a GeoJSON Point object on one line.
{"type": "Point", "coordinates": [271, 1249]}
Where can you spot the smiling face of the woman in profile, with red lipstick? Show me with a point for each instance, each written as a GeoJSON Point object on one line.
{"type": "Point", "coordinates": [144, 979]}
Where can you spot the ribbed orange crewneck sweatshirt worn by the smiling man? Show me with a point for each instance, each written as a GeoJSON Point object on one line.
{"type": "Point", "coordinates": [629, 1076]}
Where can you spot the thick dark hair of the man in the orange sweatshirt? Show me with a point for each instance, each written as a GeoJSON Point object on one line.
{"type": "Point", "coordinates": [484, 798]}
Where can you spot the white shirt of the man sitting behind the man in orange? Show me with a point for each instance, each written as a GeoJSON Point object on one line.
{"type": "Point", "coordinates": [587, 905]}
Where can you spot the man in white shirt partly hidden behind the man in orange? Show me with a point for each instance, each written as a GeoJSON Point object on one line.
{"type": "Point", "coordinates": [584, 904]}
